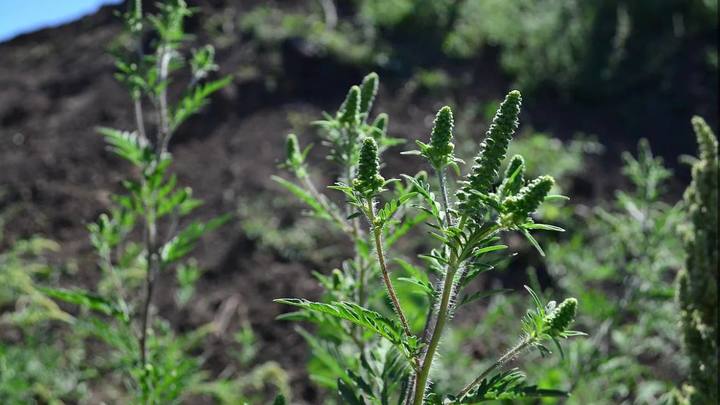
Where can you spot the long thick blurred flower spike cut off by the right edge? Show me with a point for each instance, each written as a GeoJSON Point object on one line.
{"type": "Point", "coordinates": [698, 281]}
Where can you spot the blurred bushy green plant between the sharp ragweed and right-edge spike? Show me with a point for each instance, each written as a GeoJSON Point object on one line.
{"type": "Point", "coordinates": [619, 261]}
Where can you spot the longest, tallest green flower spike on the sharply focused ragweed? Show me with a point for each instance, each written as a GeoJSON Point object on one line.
{"type": "Point", "coordinates": [492, 153]}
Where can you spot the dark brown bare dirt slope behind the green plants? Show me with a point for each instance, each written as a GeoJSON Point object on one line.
{"type": "Point", "coordinates": [57, 85]}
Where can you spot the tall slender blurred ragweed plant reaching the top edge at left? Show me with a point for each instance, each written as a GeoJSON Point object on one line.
{"type": "Point", "coordinates": [146, 232]}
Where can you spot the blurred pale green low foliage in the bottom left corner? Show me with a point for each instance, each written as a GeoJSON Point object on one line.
{"type": "Point", "coordinates": [38, 363]}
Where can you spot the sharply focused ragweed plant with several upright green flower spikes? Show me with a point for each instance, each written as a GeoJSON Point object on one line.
{"type": "Point", "coordinates": [386, 356]}
